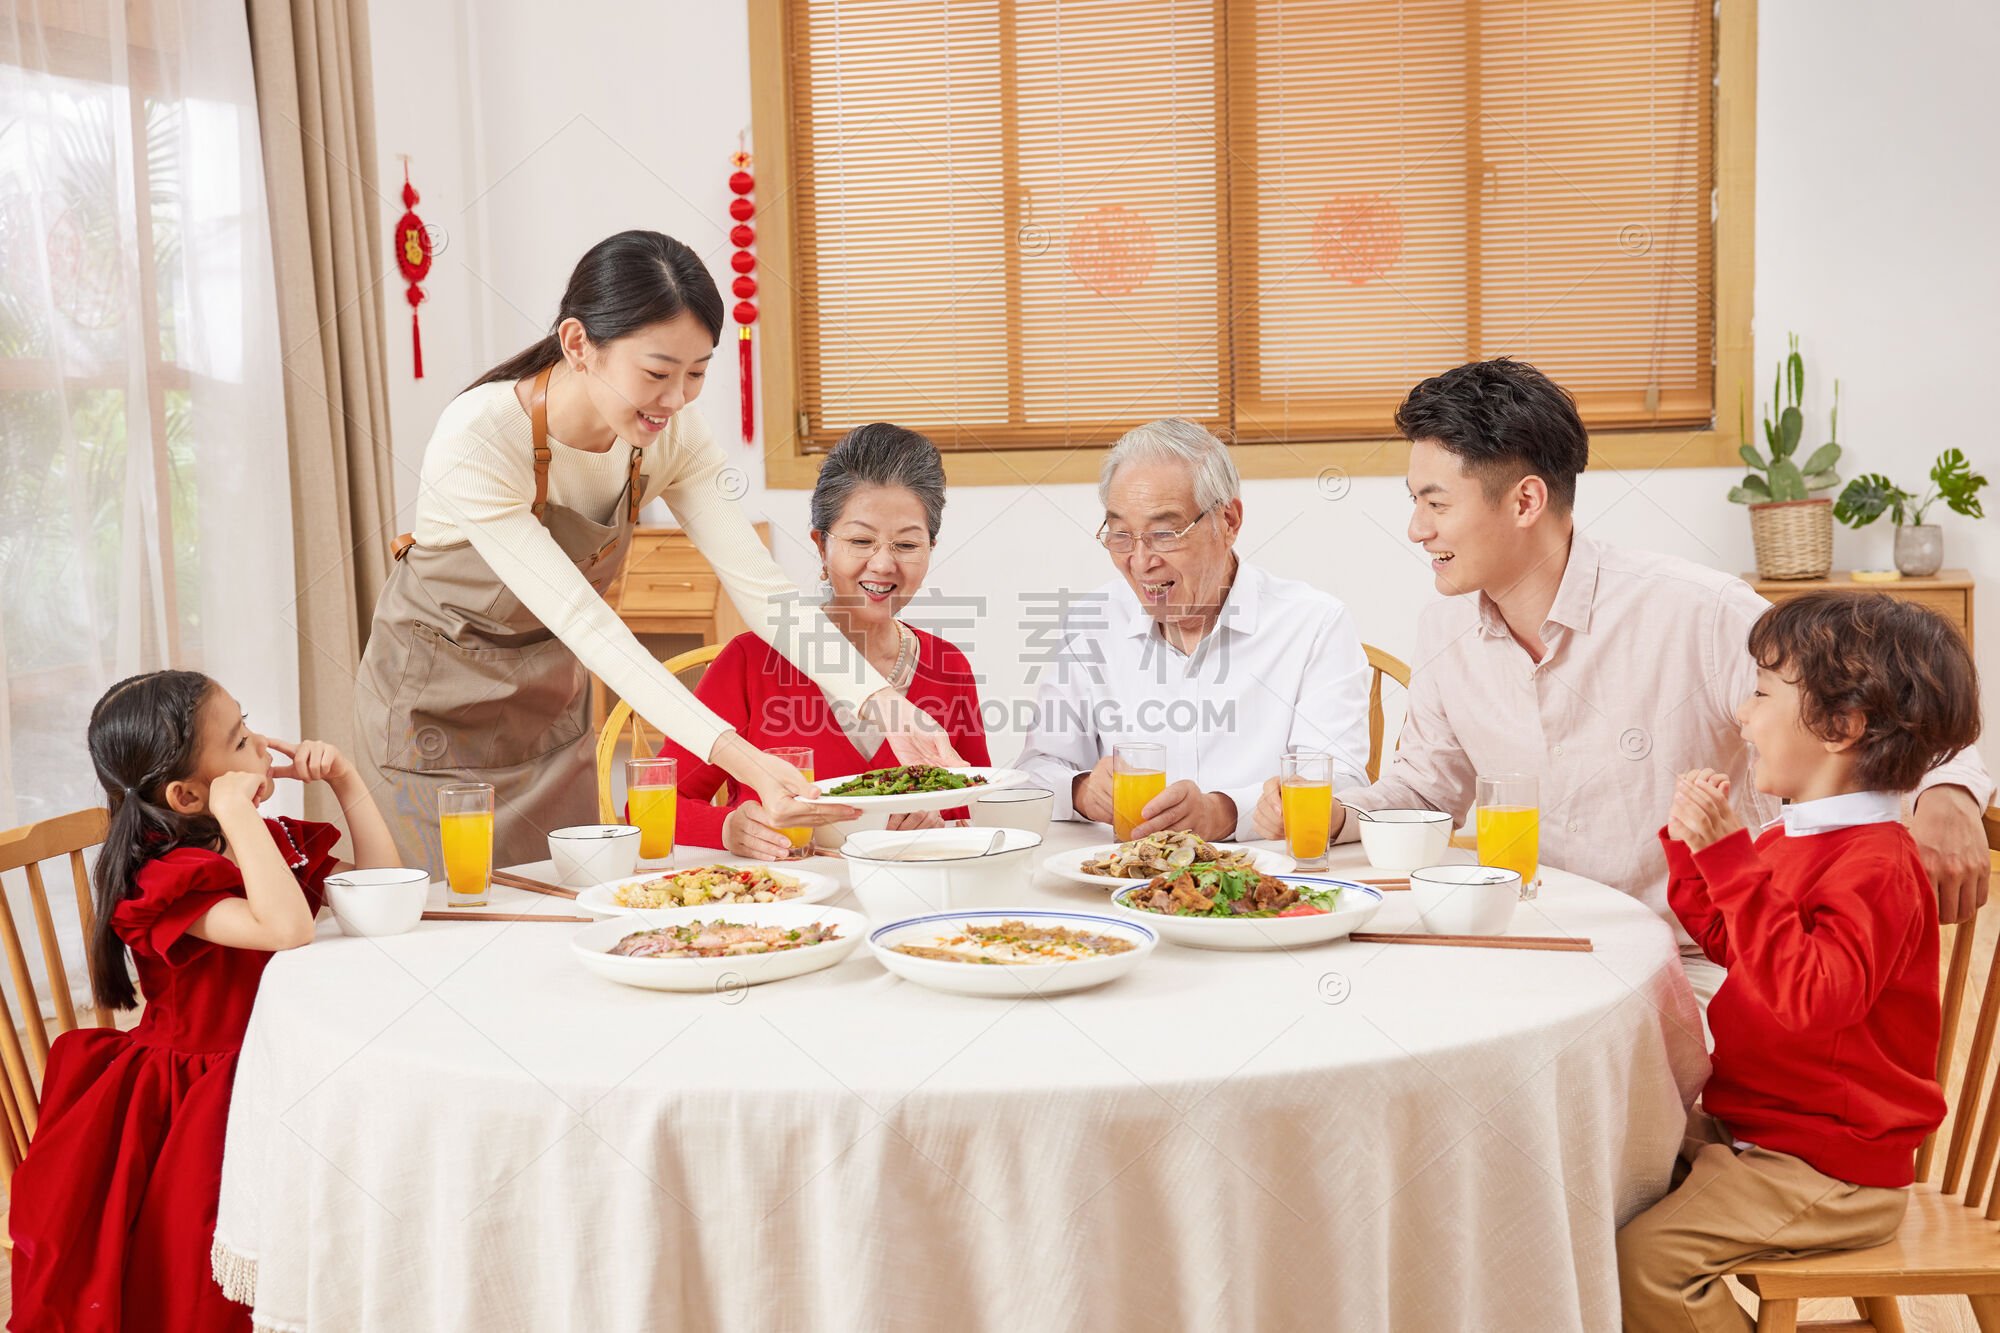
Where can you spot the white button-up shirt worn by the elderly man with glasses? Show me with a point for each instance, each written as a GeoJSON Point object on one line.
{"type": "Point", "coordinates": [1283, 668]}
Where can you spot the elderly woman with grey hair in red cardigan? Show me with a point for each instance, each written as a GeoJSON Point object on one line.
{"type": "Point", "coordinates": [875, 519]}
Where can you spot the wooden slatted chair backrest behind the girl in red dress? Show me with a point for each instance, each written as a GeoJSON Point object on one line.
{"type": "Point", "coordinates": [25, 850]}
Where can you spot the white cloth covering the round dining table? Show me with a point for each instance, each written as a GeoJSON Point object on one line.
{"type": "Point", "coordinates": [465, 1130]}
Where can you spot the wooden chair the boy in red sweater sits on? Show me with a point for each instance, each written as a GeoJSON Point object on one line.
{"type": "Point", "coordinates": [1949, 1244]}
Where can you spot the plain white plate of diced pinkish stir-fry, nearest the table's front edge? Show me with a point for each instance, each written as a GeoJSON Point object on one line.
{"type": "Point", "coordinates": [719, 948]}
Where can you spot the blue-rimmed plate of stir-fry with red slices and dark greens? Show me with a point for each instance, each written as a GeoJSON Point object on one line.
{"type": "Point", "coordinates": [1247, 910]}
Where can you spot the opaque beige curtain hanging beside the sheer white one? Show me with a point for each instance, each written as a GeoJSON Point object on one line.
{"type": "Point", "coordinates": [317, 119]}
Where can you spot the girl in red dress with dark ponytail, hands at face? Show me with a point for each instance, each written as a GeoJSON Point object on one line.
{"type": "Point", "coordinates": [115, 1206]}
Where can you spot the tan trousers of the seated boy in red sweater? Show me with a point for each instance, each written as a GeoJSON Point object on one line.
{"type": "Point", "coordinates": [1729, 1208]}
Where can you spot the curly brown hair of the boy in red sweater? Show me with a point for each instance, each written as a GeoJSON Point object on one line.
{"type": "Point", "coordinates": [1901, 670]}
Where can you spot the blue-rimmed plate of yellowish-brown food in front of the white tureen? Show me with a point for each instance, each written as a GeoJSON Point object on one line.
{"type": "Point", "coordinates": [1011, 952]}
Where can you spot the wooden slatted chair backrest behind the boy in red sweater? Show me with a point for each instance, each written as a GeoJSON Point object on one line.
{"type": "Point", "coordinates": [1979, 1098]}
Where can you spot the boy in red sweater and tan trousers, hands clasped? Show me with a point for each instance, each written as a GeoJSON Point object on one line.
{"type": "Point", "coordinates": [1827, 1028]}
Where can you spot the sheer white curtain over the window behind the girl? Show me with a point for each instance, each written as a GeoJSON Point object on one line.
{"type": "Point", "coordinates": [145, 505]}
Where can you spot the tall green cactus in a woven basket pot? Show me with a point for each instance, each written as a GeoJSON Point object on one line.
{"type": "Point", "coordinates": [1791, 521]}
